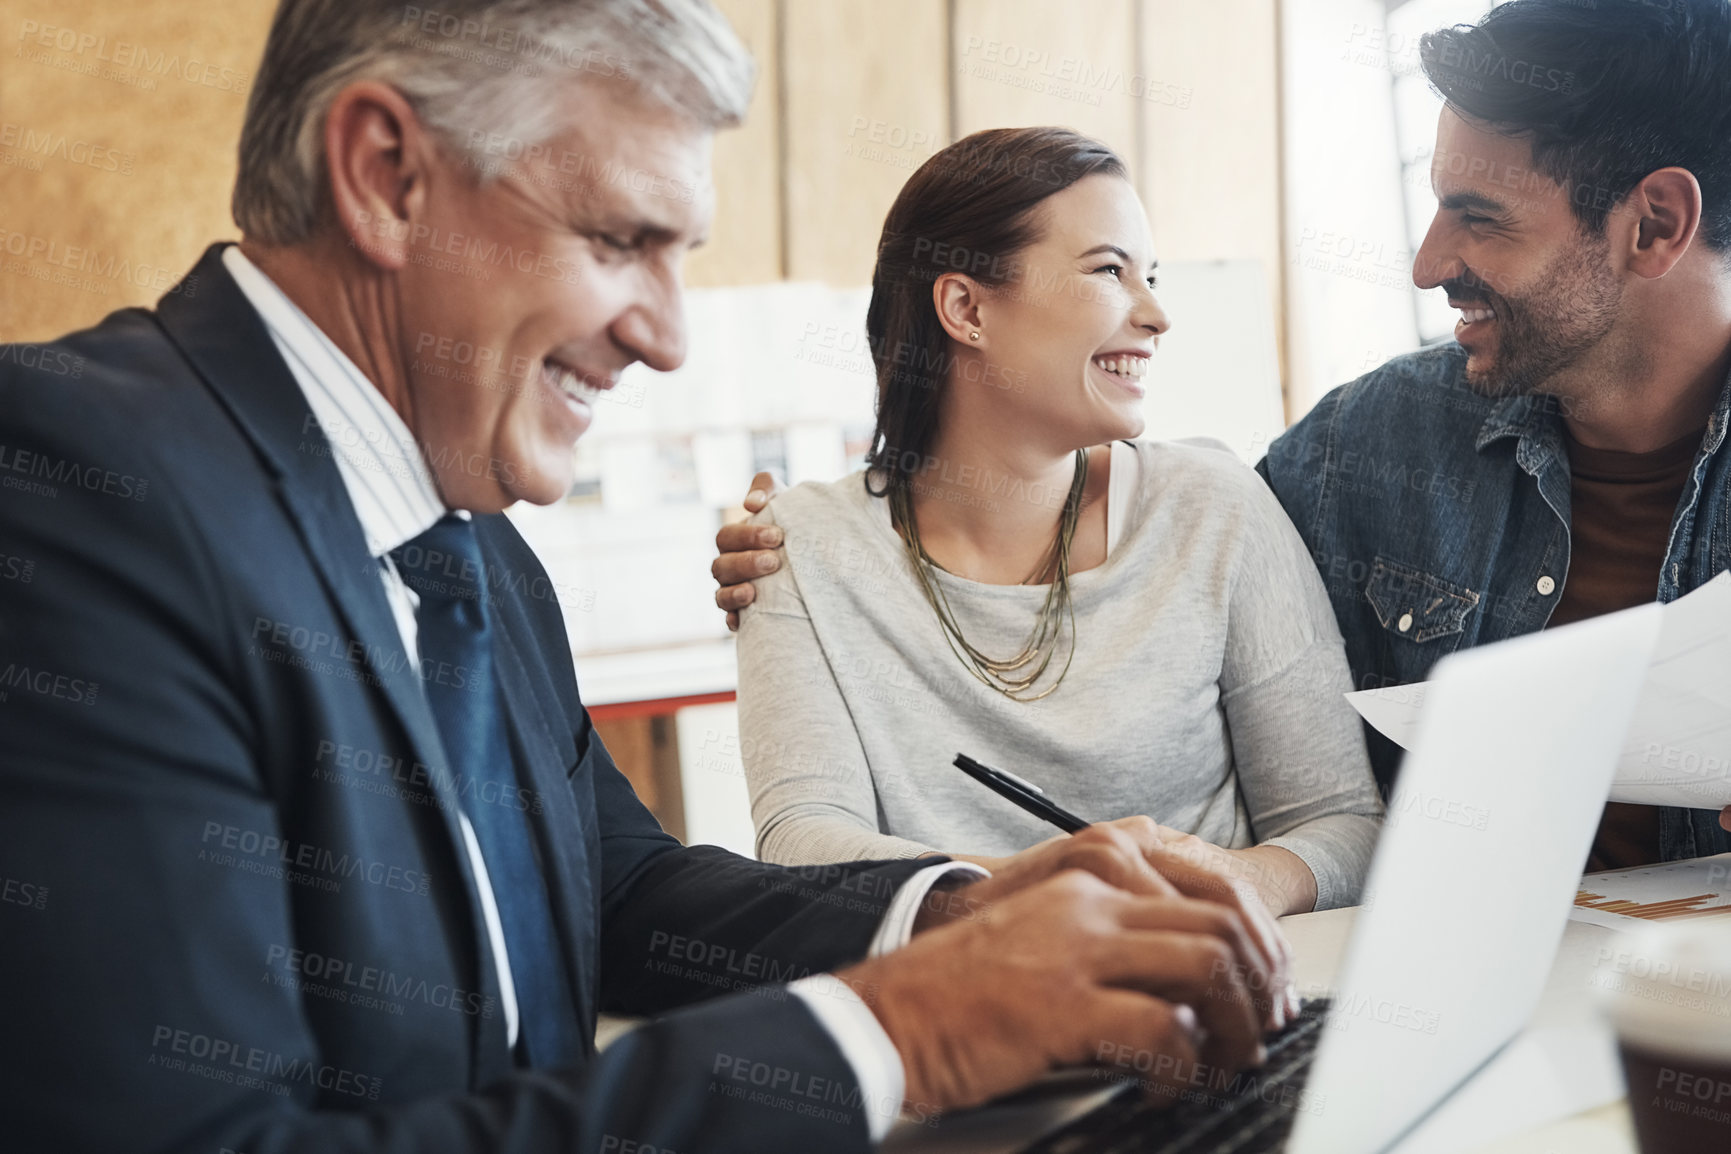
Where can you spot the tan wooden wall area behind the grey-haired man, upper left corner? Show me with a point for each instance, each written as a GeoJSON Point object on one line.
{"type": "Point", "coordinates": [117, 150]}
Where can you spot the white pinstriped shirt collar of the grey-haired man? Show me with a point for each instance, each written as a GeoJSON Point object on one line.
{"type": "Point", "coordinates": [383, 470]}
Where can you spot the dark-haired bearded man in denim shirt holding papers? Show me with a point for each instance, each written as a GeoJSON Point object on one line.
{"type": "Point", "coordinates": [1574, 430]}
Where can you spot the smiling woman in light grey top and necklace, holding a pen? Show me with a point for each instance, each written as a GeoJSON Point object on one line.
{"type": "Point", "coordinates": [1135, 625]}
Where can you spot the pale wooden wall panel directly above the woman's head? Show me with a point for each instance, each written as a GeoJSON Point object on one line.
{"type": "Point", "coordinates": [1036, 63]}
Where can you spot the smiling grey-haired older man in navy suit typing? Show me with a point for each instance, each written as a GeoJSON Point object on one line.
{"type": "Point", "coordinates": [306, 835]}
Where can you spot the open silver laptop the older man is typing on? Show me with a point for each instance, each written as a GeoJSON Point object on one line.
{"type": "Point", "coordinates": [1488, 831]}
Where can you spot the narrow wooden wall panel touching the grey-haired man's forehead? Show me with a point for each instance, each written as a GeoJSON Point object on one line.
{"type": "Point", "coordinates": [745, 245]}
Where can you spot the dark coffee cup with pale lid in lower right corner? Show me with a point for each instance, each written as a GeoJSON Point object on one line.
{"type": "Point", "coordinates": [1670, 999]}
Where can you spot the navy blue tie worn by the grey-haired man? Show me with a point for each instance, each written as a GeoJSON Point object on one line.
{"type": "Point", "coordinates": [444, 567]}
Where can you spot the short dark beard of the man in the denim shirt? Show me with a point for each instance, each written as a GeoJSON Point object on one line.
{"type": "Point", "coordinates": [1543, 333]}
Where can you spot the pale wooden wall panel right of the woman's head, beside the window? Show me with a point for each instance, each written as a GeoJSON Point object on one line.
{"type": "Point", "coordinates": [1211, 134]}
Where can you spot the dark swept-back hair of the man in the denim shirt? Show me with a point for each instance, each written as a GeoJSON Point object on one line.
{"type": "Point", "coordinates": [1607, 93]}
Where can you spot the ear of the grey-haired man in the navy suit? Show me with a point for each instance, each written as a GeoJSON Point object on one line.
{"type": "Point", "coordinates": [376, 153]}
